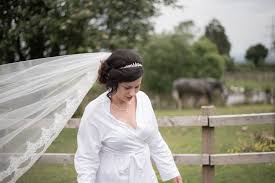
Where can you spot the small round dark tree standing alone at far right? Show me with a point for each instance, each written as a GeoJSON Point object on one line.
{"type": "Point", "coordinates": [256, 54]}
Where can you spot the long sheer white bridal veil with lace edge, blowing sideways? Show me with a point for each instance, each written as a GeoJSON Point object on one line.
{"type": "Point", "coordinates": [37, 98]}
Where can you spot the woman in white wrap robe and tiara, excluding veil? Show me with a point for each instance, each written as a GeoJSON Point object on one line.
{"type": "Point", "coordinates": [118, 132]}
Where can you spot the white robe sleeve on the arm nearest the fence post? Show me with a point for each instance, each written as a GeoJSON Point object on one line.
{"type": "Point", "coordinates": [160, 152]}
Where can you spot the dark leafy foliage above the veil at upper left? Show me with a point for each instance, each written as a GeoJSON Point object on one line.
{"type": "Point", "coordinates": [40, 28]}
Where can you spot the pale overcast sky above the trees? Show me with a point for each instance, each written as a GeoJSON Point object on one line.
{"type": "Point", "coordinates": [246, 22]}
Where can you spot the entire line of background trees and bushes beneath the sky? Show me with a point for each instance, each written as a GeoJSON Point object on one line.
{"type": "Point", "coordinates": [42, 28]}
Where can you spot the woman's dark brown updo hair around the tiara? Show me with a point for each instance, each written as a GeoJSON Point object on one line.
{"type": "Point", "coordinates": [111, 72]}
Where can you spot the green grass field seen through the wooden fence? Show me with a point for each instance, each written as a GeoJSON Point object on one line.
{"type": "Point", "coordinates": [180, 140]}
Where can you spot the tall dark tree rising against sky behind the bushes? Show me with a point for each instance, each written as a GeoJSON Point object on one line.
{"type": "Point", "coordinates": [215, 32]}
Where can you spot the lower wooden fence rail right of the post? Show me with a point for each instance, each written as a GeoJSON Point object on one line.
{"type": "Point", "coordinates": [242, 158]}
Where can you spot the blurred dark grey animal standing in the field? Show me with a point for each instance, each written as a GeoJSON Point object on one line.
{"type": "Point", "coordinates": [197, 88]}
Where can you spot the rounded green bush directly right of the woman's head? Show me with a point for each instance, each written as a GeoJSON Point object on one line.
{"type": "Point", "coordinates": [166, 57]}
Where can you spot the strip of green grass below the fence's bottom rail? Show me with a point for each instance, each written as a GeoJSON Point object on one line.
{"type": "Point", "coordinates": [263, 173]}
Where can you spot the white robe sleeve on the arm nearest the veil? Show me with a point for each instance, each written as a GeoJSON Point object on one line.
{"type": "Point", "coordinates": [86, 159]}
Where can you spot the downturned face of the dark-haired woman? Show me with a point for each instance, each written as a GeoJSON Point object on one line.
{"type": "Point", "coordinates": [127, 90]}
